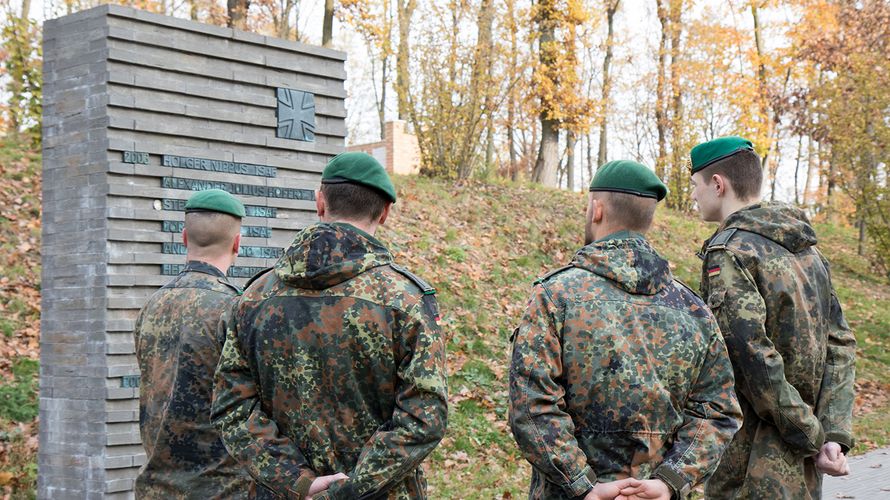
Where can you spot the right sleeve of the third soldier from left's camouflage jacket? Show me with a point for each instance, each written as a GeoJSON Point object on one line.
{"type": "Point", "coordinates": [711, 416]}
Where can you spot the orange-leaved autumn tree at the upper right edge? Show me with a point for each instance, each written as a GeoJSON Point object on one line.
{"type": "Point", "coordinates": [849, 42]}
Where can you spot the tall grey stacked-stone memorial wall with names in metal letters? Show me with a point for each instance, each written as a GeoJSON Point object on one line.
{"type": "Point", "coordinates": [126, 93]}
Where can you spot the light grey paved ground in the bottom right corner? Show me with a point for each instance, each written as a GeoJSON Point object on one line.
{"type": "Point", "coordinates": [869, 478]}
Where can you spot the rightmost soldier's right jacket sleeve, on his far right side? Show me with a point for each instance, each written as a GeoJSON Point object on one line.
{"type": "Point", "coordinates": [835, 404]}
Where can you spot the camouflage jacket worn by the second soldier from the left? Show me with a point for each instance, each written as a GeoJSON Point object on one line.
{"type": "Point", "coordinates": [333, 363]}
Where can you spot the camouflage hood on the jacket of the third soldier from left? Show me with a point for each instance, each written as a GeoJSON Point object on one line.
{"type": "Point", "coordinates": [631, 264]}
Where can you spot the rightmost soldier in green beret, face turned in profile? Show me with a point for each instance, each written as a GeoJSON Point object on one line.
{"type": "Point", "coordinates": [790, 346]}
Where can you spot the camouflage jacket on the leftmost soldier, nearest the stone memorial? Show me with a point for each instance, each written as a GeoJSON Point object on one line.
{"type": "Point", "coordinates": [178, 349]}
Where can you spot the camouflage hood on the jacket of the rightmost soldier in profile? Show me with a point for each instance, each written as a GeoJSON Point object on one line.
{"type": "Point", "coordinates": [785, 224]}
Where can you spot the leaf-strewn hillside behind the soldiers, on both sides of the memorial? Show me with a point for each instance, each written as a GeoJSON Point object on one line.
{"type": "Point", "coordinates": [481, 245]}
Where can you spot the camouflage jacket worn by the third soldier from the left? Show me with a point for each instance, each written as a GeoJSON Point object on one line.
{"type": "Point", "coordinates": [619, 370]}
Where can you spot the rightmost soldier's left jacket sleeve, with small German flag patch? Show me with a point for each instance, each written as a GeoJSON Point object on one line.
{"type": "Point", "coordinates": [759, 368]}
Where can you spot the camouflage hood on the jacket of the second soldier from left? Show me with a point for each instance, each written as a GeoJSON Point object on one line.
{"type": "Point", "coordinates": [327, 254]}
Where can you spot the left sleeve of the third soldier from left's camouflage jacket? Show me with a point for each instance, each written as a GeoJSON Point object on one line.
{"type": "Point", "coordinates": [544, 432]}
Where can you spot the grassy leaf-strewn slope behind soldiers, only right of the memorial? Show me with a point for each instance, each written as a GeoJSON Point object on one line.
{"type": "Point", "coordinates": [482, 246]}
